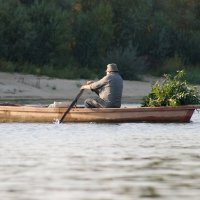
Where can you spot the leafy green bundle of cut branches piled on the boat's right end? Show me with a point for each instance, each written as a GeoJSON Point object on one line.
{"type": "Point", "coordinates": [174, 91]}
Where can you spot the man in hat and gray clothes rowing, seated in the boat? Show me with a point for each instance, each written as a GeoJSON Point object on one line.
{"type": "Point", "coordinates": [109, 89]}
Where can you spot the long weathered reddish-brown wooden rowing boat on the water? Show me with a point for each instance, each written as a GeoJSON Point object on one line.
{"type": "Point", "coordinates": [42, 114]}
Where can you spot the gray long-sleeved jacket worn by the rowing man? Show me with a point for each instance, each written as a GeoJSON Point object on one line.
{"type": "Point", "coordinates": [109, 88]}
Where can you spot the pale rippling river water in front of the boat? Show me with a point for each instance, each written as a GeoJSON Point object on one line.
{"type": "Point", "coordinates": [100, 161]}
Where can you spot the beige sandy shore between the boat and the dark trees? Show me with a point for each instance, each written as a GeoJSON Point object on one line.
{"type": "Point", "coordinates": [15, 87]}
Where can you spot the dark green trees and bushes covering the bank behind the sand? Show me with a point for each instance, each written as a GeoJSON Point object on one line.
{"type": "Point", "coordinates": [77, 38]}
